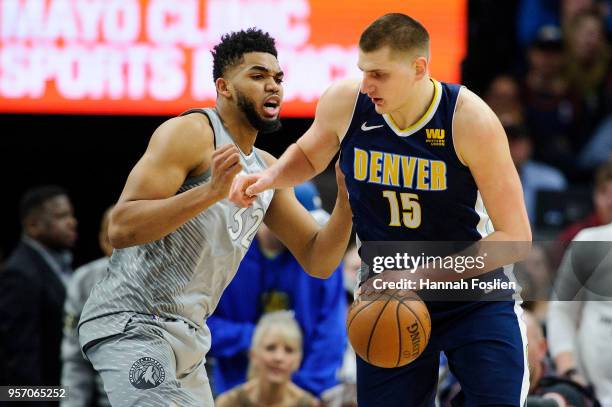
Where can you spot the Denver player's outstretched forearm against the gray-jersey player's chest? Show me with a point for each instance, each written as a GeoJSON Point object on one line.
{"type": "Point", "coordinates": [291, 169]}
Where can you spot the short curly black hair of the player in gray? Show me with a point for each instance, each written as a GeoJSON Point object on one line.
{"type": "Point", "coordinates": [229, 52]}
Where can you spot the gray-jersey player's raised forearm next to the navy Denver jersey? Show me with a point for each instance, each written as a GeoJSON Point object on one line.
{"type": "Point", "coordinates": [328, 246]}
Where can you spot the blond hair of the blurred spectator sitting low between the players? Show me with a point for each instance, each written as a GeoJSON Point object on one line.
{"type": "Point", "coordinates": [282, 322]}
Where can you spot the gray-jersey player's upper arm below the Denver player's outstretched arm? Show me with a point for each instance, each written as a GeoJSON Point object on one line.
{"type": "Point", "coordinates": [291, 223]}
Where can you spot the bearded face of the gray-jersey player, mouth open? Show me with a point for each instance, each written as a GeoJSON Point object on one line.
{"type": "Point", "coordinates": [258, 91]}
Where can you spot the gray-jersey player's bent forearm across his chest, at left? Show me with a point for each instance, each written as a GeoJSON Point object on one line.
{"type": "Point", "coordinates": [143, 221]}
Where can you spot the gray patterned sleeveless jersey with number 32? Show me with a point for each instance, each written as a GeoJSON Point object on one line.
{"type": "Point", "coordinates": [182, 275]}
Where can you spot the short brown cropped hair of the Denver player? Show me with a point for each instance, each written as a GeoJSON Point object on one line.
{"type": "Point", "coordinates": [398, 31]}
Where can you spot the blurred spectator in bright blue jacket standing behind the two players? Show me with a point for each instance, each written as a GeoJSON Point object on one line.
{"type": "Point", "coordinates": [270, 279]}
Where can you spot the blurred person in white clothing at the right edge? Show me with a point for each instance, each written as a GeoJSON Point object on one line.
{"type": "Point", "coordinates": [580, 316]}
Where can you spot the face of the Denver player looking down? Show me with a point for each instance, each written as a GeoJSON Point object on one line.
{"type": "Point", "coordinates": [388, 77]}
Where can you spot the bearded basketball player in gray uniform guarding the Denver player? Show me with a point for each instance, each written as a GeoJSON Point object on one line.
{"type": "Point", "coordinates": [179, 241]}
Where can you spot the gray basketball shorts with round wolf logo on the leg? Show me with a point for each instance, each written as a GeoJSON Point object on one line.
{"type": "Point", "coordinates": [153, 362]}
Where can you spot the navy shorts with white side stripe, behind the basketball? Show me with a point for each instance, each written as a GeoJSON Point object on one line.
{"type": "Point", "coordinates": [485, 344]}
